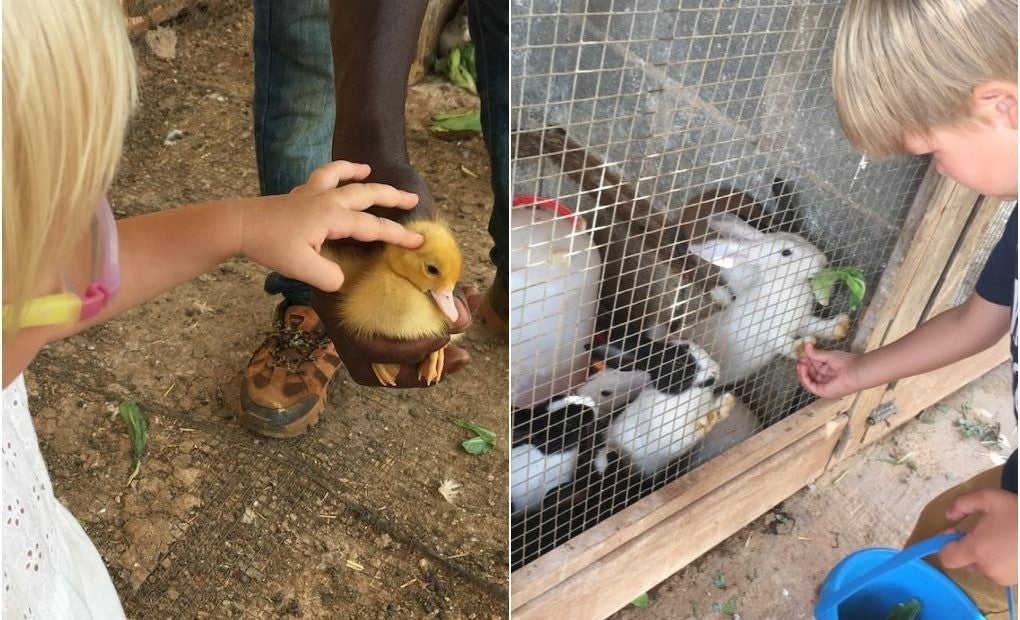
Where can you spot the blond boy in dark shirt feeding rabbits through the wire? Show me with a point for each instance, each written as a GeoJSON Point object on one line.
{"type": "Point", "coordinates": [939, 77]}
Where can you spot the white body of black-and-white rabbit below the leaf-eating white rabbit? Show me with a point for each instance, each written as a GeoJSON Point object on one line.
{"type": "Point", "coordinates": [658, 427]}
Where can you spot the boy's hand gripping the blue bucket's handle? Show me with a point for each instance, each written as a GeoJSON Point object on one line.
{"type": "Point", "coordinates": [991, 545]}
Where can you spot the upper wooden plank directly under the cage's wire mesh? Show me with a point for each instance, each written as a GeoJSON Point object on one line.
{"type": "Point", "coordinates": [592, 547]}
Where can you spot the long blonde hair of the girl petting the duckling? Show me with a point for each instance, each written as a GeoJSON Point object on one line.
{"type": "Point", "coordinates": [69, 89]}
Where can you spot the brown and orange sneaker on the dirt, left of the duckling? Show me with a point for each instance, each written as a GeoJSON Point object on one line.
{"type": "Point", "coordinates": [284, 389]}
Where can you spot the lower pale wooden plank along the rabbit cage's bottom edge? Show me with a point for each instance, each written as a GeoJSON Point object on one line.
{"type": "Point", "coordinates": [615, 581]}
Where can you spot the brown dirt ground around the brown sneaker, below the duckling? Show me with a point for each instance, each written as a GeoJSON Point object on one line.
{"type": "Point", "coordinates": [346, 522]}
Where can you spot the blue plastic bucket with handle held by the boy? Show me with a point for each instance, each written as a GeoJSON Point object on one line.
{"type": "Point", "coordinates": [869, 584]}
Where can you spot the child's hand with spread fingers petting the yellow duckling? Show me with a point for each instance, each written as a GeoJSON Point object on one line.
{"type": "Point", "coordinates": [287, 233]}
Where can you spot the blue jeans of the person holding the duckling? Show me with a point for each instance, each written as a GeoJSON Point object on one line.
{"type": "Point", "coordinates": [295, 102]}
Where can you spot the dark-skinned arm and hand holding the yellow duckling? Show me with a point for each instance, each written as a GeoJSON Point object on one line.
{"type": "Point", "coordinates": [374, 45]}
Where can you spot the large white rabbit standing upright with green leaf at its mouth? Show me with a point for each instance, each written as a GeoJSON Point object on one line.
{"type": "Point", "coordinates": [771, 303]}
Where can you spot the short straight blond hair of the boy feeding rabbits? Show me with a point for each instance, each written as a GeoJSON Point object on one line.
{"type": "Point", "coordinates": [908, 67]}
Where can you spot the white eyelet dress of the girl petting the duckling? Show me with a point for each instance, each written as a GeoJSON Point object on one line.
{"type": "Point", "coordinates": [52, 570]}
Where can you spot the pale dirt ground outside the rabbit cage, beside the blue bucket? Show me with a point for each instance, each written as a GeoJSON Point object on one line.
{"type": "Point", "coordinates": [766, 573]}
